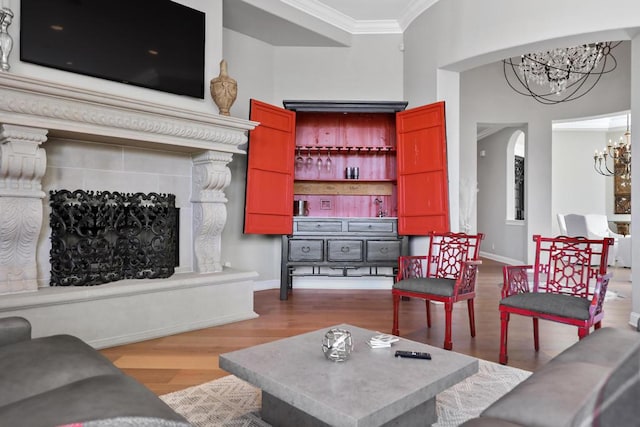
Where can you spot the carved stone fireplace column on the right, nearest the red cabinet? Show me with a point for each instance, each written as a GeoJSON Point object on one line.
{"type": "Point", "coordinates": [210, 177]}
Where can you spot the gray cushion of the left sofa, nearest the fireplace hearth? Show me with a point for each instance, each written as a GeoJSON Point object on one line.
{"type": "Point", "coordinates": [36, 366]}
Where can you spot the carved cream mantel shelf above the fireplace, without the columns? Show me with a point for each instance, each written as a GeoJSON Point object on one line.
{"type": "Point", "coordinates": [104, 117]}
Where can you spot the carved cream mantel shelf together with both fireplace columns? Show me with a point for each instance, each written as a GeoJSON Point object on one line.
{"type": "Point", "coordinates": [33, 110]}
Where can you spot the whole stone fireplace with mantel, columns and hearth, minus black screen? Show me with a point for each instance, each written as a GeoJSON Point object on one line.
{"type": "Point", "coordinates": [42, 125]}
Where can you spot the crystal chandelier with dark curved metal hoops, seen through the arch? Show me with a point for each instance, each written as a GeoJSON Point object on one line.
{"type": "Point", "coordinates": [562, 74]}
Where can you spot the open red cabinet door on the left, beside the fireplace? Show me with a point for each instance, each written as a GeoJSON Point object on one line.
{"type": "Point", "coordinates": [270, 162]}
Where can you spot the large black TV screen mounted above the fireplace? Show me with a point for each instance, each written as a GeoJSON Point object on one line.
{"type": "Point", "coordinates": [157, 44]}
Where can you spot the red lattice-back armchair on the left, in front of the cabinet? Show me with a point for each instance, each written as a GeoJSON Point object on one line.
{"type": "Point", "coordinates": [447, 274]}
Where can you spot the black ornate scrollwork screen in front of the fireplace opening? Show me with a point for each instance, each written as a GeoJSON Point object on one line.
{"type": "Point", "coordinates": [106, 236]}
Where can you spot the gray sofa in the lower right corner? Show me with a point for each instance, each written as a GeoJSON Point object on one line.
{"type": "Point", "coordinates": [595, 382]}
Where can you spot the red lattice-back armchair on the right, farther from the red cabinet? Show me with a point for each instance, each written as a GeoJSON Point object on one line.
{"type": "Point", "coordinates": [567, 284]}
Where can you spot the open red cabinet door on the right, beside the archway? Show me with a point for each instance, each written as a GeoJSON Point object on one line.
{"type": "Point", "coordinates": [423, 202]}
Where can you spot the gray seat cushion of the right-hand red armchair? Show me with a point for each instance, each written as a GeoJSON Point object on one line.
{"type": "Point", "coordinates": [549, 303]}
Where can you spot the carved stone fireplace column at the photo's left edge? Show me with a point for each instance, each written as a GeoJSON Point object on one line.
{"type": "Point", "coordinates": [22, 166]}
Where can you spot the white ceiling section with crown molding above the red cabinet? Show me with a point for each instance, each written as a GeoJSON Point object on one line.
{"type": "Point", "coordinates": [319, 22]}
